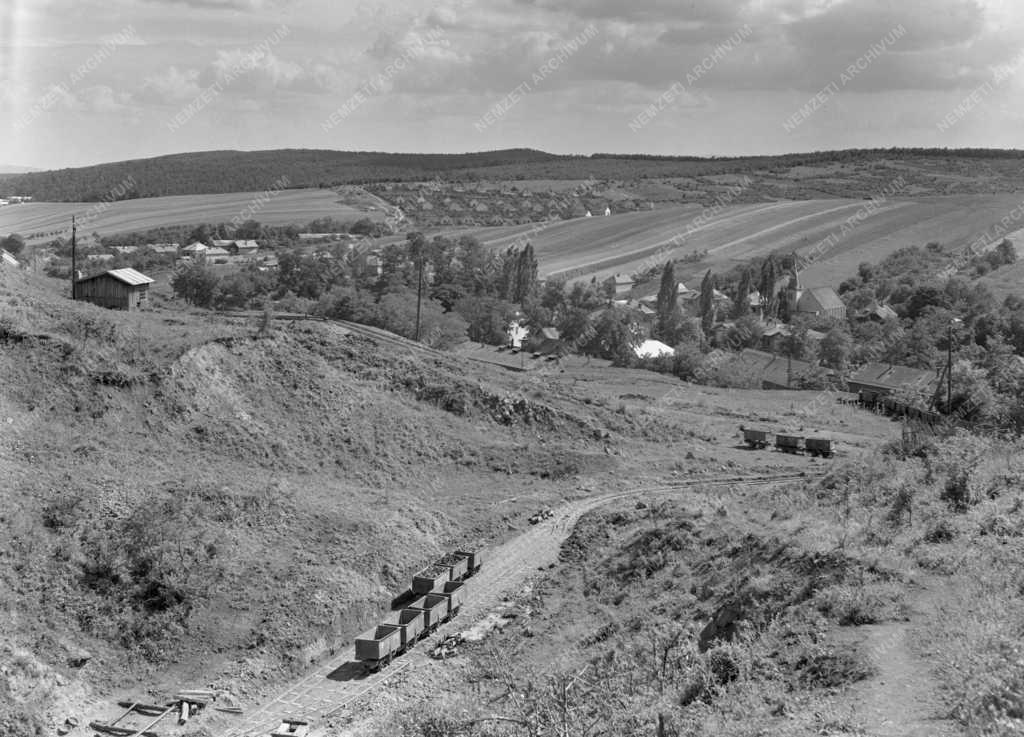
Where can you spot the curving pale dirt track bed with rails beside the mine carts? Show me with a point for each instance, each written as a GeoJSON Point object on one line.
{"type": "Point", "coordinates": [334, 685]}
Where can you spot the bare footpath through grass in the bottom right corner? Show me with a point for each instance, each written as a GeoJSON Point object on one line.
{"type": "Point", "coordinates": [903, 700]}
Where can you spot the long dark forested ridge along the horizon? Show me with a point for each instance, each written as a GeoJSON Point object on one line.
{"type": "Point", "coordinates": [230, 171]}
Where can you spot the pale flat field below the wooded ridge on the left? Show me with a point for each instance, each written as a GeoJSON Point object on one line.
{"type": "Point", "coordinates": [47, 221]}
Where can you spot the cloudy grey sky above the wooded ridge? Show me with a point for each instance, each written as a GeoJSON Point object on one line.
{"type": "Point", "coordinates": [86, 81]}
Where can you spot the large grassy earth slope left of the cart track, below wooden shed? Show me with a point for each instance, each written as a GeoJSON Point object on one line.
{"type": "Point", "coordinates": [197, 502]}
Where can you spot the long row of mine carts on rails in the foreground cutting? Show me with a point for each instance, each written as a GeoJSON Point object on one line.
{"type": "Point", "coordinates": [439, 592]}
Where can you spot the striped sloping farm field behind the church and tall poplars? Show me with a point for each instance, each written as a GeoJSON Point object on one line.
{"type": "Point", "coordinates": [625, 243]}
